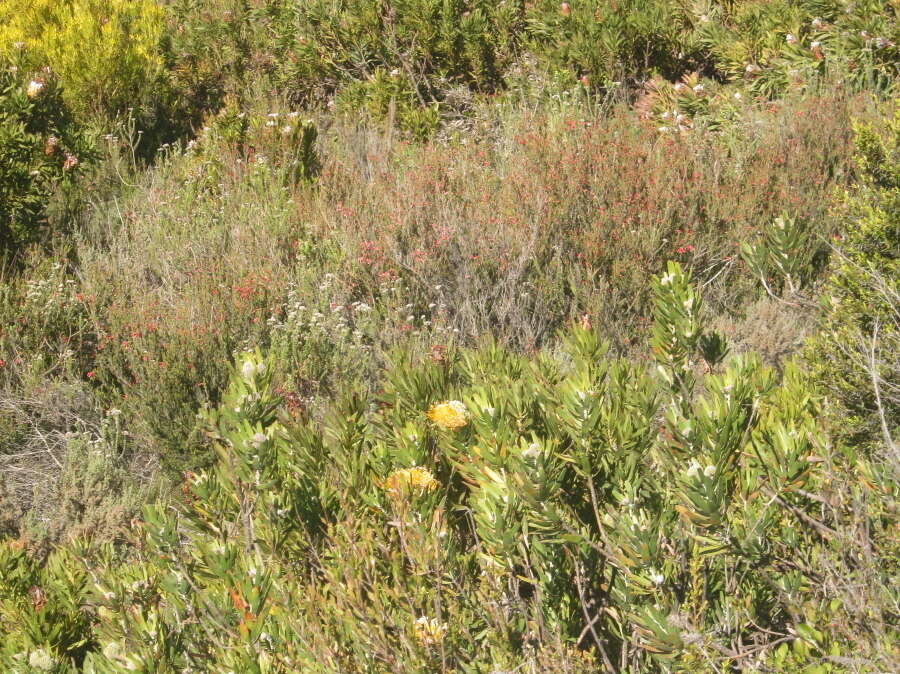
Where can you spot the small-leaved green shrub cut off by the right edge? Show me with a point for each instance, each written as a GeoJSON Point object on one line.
{"type": "Point", "coordinates": [855, 355]}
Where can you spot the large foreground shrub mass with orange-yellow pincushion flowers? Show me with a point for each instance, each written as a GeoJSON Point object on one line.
{"type": "Point", "coordinates": [591, 513]}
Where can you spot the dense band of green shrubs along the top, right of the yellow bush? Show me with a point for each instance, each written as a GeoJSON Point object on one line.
{"type": "Point", "coordinates": [423, 63]}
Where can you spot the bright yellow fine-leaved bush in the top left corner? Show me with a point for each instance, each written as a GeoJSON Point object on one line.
{"type": "Point", "coordinates": [105, 52]}
